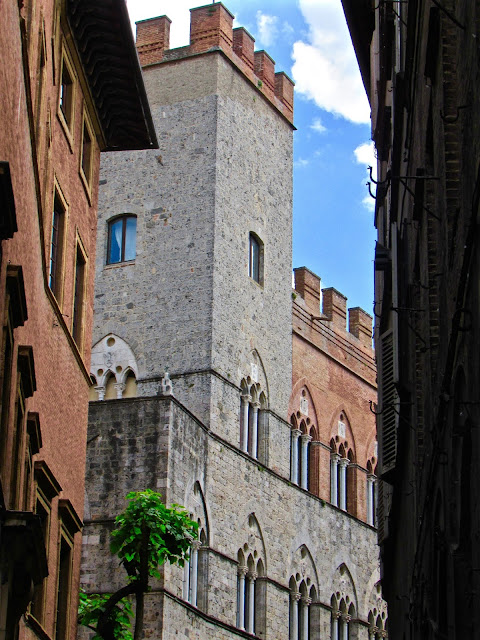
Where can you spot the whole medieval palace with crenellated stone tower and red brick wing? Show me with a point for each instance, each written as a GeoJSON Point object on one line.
{"type": "Point", "coordinates": [194, 279]}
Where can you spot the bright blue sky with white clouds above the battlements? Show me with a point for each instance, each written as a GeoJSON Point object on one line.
{"type": "Point", "coordinates": [333, 232]}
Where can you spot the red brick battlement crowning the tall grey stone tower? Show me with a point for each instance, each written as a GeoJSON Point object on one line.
{"type": "Point", "coordinates": [211, 29]}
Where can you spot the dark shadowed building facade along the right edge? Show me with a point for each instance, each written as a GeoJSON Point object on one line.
{"type": "Point", "coordinates": [420, 64]}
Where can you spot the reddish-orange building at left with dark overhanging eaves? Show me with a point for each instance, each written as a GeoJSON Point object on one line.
{"type": "Point", "coordinates": [57, 114]}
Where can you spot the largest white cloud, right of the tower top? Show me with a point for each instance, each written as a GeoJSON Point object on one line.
{"type": "Point", "coordinates": [325, 69]}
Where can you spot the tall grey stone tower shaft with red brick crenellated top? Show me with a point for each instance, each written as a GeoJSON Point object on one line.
{"type": "Point", "coordinates": [221, 181]}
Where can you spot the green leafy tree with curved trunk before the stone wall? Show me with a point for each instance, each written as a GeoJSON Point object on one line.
{"type": "Point", "coordinates": [146, 535]}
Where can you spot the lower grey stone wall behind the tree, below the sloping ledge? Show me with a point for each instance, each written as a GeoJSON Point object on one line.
{"type": "Point", "coordinates": [160, 439]}
